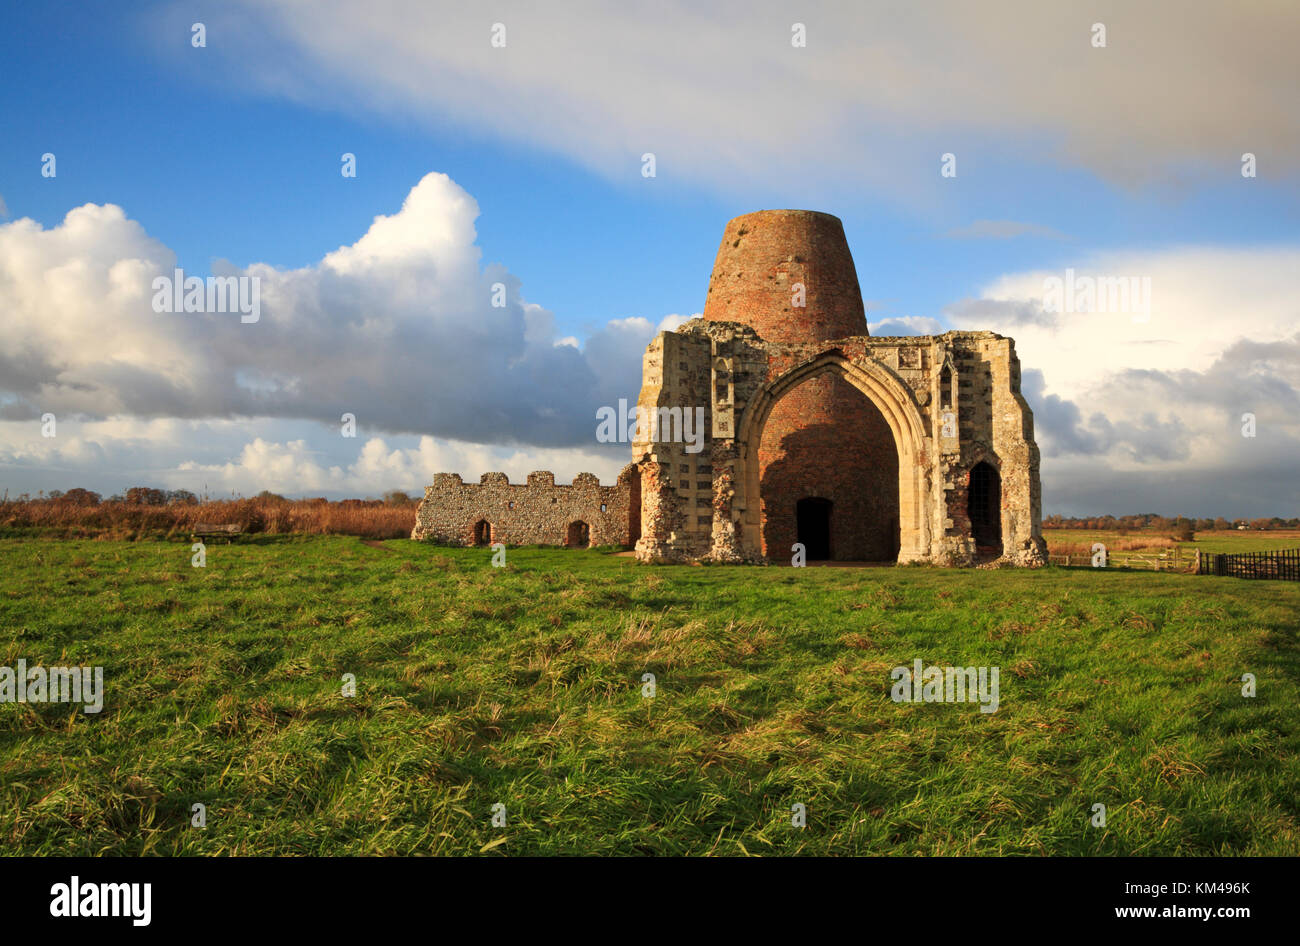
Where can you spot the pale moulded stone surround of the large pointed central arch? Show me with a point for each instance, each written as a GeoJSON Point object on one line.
{"type": "Point", "coordinates": [894, 400]}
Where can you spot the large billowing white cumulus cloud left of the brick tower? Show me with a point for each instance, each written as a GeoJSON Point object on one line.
{"type": "Point", "coordinates": [398, 329]}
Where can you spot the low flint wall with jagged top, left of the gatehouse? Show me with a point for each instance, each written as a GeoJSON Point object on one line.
{"type": "Point", "coordinates": [540, 513]}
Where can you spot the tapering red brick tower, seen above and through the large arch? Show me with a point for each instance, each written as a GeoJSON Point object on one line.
{"type": "Point", "coordinates": [829, 466]}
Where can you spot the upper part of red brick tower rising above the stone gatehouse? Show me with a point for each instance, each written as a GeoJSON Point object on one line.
{"type": "Point", "coordinates": [762, 258]}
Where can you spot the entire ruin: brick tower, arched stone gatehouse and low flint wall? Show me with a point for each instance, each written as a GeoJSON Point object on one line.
{"type": "Point", "coordinates": [915, 449]}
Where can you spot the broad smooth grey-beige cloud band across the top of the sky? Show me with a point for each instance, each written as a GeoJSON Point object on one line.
{"type": "Point", "coordinates": [872, 92]}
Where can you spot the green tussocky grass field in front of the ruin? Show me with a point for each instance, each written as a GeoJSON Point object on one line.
{"type": "Point", "coordinates": [522, 687]}
